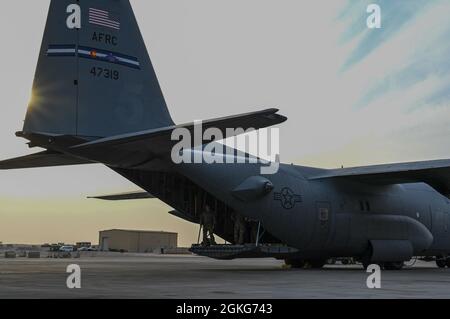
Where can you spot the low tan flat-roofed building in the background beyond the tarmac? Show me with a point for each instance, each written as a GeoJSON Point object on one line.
{"type": "Point", "coordinates": [137, 241]}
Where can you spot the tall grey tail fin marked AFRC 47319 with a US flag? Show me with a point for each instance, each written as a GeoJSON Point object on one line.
{"type": "Point", "coordinates": [94, 76]}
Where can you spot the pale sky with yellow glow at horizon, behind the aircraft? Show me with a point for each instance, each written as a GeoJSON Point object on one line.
{"type": "Point", "coordinates": [353, 96]}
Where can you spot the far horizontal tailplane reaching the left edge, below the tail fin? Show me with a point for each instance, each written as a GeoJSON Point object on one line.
{"type": "Point", "coordinates": [42, 159]}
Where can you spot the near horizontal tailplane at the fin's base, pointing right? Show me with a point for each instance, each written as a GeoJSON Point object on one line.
{"type": "Point", "coordinates": [158, 141]}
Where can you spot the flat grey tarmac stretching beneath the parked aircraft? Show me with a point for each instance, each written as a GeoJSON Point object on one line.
{"type": "Point", "coordinates": [192, 277]}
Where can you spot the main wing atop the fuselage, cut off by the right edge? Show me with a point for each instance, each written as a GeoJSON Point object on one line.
{"type": "Point", "coordinates": [435, 173]}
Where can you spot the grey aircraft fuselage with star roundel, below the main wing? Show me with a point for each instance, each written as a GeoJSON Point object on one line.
{"type": "Point", "coordinates": [332, 218]}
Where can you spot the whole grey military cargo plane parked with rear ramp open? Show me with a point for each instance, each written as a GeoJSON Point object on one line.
{"type": "Point", "coordinates": [96, 99]}
